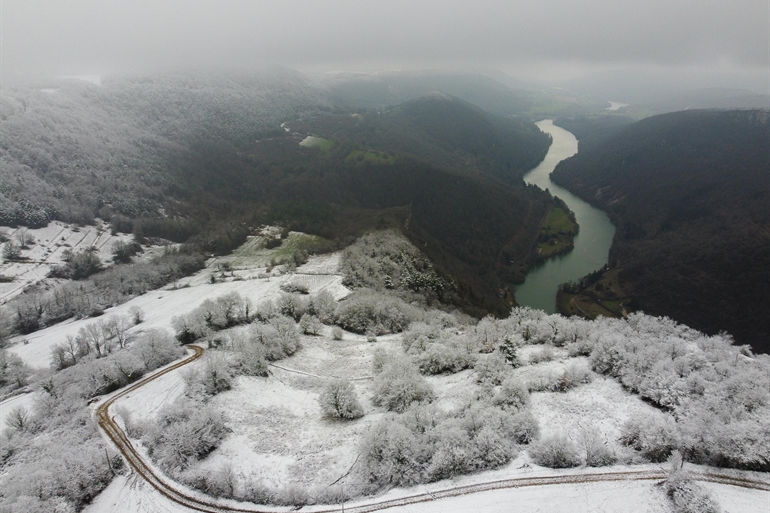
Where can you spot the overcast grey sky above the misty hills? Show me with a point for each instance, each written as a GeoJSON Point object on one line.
{"type": "Point", "coordinates": [530, 39]}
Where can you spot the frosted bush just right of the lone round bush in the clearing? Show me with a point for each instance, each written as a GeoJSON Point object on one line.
{"type": "Point", "coordinates": [399, 384]}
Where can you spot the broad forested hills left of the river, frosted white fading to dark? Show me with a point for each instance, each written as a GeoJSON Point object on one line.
{"type": "Point", "coordinates": [174, 156]}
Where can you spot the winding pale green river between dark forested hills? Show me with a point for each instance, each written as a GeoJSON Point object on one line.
{"type": "Point", "coordinates": [592, 244]}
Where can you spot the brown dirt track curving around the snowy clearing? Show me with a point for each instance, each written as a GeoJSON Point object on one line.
{"type": "Point", "coordinates": [197, 502]}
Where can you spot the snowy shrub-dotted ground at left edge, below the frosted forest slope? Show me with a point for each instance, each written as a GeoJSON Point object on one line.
{"type": "Point", "coordinates": [48, 249]}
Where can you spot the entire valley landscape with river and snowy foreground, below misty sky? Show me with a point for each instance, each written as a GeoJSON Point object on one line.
{"type": "Point", "coordinates": [227, 292]}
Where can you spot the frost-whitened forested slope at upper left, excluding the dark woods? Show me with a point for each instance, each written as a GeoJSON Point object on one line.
{"type": "Point", "coordinates": [72, 150]}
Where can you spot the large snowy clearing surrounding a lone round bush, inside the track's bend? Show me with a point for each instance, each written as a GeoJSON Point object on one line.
{"type": "Point", "coordinates": [279, 433]}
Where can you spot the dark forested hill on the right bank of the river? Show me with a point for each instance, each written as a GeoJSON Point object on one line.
{"type": "Point", "coordinates": [689, 192]}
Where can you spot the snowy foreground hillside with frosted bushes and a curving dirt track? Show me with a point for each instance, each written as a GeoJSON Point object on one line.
{"type": "Point", "coordinates": [440, 402]}
